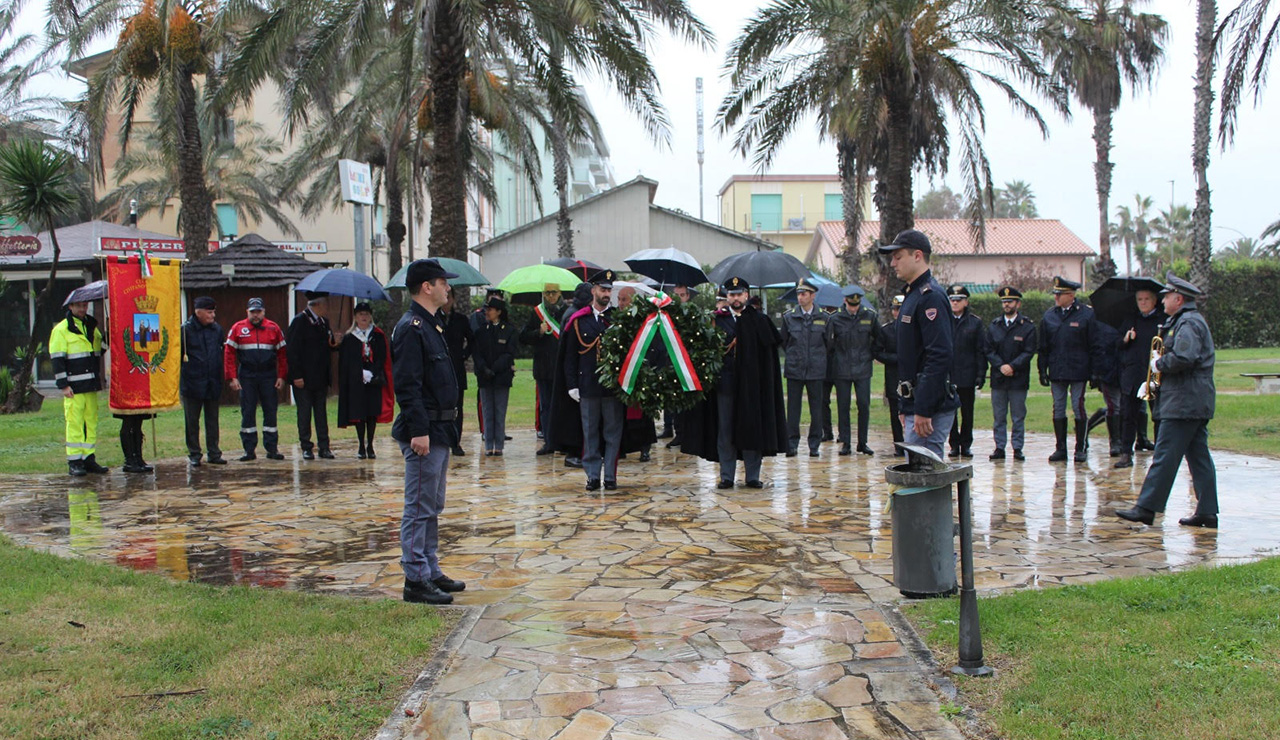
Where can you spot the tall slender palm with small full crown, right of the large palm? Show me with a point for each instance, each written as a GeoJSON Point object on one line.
{"type": "Point", "coordinates": [1098, 53]}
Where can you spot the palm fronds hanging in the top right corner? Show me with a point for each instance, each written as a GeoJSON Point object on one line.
{"type": "Point", "coordinates": [1252, 42]}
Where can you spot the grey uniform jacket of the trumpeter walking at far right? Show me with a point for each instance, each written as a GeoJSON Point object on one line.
{"type": "Point", "coordinates": [1187, 368]}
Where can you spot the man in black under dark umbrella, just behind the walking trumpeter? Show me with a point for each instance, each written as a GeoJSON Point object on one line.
{"type": "Point", "coordinates": [1136, 335]}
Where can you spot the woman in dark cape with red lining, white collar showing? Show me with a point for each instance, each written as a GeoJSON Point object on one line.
{"type": "Point", "coordinates": [365, 395]}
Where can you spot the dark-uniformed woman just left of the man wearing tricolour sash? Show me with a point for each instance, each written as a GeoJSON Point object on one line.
{"type": "Point", "coordinates": [495, 362]}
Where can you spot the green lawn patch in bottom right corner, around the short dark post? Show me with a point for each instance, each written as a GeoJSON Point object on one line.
{"type": "Point", "coordinates": [1176, 657]}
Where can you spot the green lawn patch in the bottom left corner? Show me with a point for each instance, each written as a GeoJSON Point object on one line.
{"type": "Point", "coordinates": [80, 642]}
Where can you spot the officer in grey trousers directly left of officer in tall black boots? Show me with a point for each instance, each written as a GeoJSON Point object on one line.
{"type": "Point", "coordinates": [1011, 350]}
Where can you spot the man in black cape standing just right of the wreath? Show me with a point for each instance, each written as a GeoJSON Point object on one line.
{"type": "Point", "coordinates": [744, 419]}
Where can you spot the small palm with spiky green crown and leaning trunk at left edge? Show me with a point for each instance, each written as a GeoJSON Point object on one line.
{"type": "Point", "coordinates": [35, 189]}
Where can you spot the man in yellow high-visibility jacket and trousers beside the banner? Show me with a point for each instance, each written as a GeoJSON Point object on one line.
{"type": "Point", "coordinates": [76, 350]}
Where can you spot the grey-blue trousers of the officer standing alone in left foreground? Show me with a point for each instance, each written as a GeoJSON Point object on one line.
{"type": "Point", "coordinates": [424, 501]}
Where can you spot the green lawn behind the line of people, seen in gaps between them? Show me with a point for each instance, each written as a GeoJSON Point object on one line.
{"type": "Point", "coordinates": [31, 444]}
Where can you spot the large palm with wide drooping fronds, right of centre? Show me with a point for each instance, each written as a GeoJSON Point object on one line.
{"type": "Point", "coordinates": [889, 81]}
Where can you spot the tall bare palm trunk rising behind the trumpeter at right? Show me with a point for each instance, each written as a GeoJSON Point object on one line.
{"type": "Point", "coordinates": [1206, 21]}
